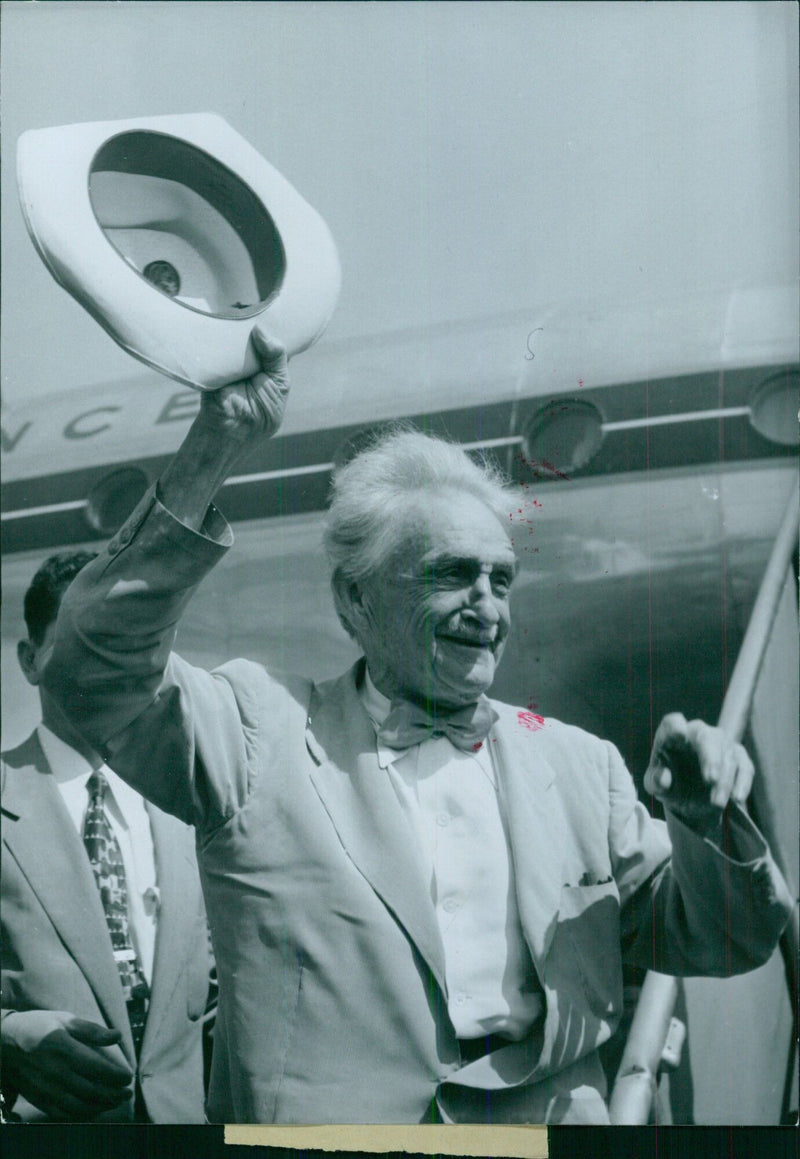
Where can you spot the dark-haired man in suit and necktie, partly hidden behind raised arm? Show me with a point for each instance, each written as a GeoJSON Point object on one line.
{"type": "Point", "coordinates": [105, 954]}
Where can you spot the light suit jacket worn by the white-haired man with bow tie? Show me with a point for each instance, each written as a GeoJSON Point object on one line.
{"type": "Point", "coordinates": [333, 990]}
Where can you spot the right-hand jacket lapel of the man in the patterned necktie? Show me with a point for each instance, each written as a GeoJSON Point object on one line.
{"type": "Point", "coordinates": [178, 887]}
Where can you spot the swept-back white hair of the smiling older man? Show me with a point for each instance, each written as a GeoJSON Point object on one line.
{"type": "Point", "coordinates": [368, 517]}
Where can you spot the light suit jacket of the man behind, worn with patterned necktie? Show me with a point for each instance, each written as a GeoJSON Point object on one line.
{"type": "Point", "coordinates": [56, 952]}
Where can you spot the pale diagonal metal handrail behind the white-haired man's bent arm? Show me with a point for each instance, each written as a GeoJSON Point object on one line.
{"type": "Point", "coordinates": [638, 1075]}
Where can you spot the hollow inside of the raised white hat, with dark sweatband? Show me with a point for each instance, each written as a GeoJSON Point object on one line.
{"type": "Point", "coordinates": [187, 224]}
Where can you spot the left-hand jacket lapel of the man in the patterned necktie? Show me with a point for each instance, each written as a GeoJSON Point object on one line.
{"type": "Point", "coordinates": [42, 839]}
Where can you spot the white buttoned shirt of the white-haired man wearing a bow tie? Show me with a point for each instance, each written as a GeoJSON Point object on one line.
{"type": "Point", "coordinates": [450, 800]}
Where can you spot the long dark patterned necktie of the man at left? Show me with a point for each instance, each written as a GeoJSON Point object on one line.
{"type": "Point", "coordinates": [106, 859]}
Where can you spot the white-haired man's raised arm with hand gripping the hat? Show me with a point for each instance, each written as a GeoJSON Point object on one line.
{"type": "Point", "coordinates": [158, 721]}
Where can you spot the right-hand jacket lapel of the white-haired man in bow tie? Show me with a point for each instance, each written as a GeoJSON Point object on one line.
{"type": "Point", "coordinates": [536, 823]}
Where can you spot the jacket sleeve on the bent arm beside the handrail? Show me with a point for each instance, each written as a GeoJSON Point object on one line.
{"type": "Point", "coordinates": [710, 909]}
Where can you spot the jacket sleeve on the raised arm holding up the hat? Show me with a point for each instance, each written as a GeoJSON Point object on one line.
{"type": "Point", "coordinates": [183, 737]}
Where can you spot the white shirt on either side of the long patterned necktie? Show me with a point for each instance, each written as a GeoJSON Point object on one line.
{"type": "Point", "coordinates": [130, 822]}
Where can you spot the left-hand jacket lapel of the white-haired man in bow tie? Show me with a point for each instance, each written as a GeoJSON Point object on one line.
{"type": "Point", "coordinates": [367, 815]}
